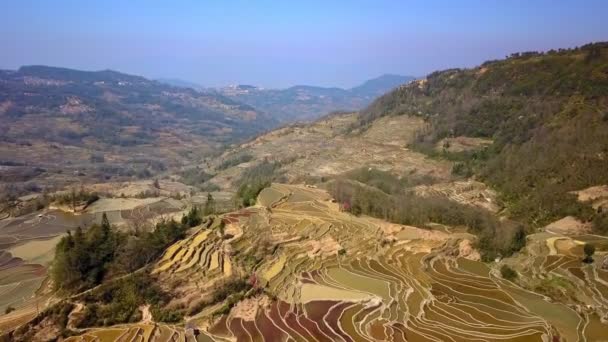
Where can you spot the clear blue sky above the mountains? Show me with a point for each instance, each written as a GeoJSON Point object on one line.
{"type": "Point", "coordinates": [283, 43]}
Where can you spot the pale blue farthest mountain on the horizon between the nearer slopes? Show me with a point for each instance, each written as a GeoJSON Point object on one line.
{"type": "Point", "coordinates": [303, 102]}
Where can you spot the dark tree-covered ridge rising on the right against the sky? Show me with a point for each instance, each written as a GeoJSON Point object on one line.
{"type": "Point", "coordinates": [546, 113]}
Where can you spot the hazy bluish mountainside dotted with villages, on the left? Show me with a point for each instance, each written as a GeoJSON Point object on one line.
{"type": "Point", "coordinates": [59, 123]}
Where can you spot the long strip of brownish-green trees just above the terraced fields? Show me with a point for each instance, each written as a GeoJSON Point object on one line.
{"type": "Point", "coordinates": [402, 206]}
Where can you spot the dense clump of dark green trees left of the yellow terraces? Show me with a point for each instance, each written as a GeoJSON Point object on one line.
{"type": "Point", "coordinates": [86, 258]}
